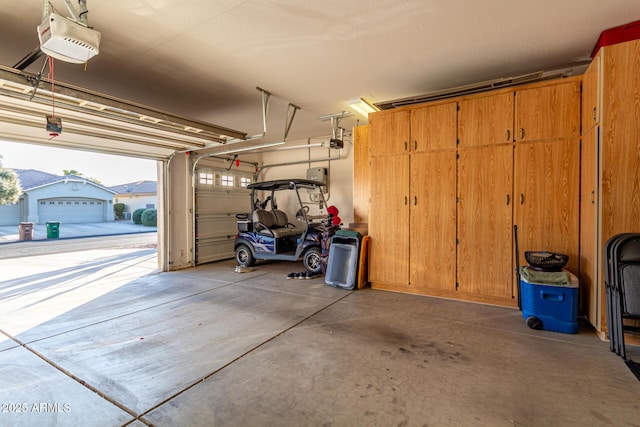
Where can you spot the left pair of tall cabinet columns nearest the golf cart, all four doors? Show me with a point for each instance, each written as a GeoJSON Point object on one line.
{"type": "Point", "coordinates": [412, 213]}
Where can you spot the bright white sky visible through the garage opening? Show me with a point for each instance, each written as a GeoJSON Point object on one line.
{"type": "Point", "coordinates": [110, 170]}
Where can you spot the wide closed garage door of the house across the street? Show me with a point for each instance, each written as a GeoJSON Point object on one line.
{"type": "Point", "coordinates": [71, 211]}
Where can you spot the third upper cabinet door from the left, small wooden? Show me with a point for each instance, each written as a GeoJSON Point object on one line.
{"type": "Point", "coordinates": [486, 120]}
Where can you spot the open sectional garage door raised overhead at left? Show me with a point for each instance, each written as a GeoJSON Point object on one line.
{"type": "Point", "coordinates": [97, 122]}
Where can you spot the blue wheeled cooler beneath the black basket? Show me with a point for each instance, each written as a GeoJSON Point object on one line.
{"type": "Point", "coordinates": [549, 300]}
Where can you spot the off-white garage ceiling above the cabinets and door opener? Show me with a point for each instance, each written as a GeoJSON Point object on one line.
{"type": "Point", "coordinates": [204, 59]}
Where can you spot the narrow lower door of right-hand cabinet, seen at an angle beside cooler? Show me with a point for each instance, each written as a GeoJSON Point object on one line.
{"type": "Point", "coordinates": [589, 286]}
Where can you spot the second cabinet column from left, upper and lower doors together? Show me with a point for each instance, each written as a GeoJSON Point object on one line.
{"type": "Point", "coordinates": [432, 246]}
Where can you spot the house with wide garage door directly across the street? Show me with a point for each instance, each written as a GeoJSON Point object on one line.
{"type": "Point", "coordinates": [49, 197]}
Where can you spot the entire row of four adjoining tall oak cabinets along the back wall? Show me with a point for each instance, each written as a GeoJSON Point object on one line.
{"type": "Point", "coordinates": [459, 174]}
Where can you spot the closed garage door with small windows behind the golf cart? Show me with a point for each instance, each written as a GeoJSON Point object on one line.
{"type": "Point", "coordinates": [220, 195]}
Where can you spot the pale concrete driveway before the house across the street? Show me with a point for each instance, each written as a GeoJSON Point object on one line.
{"type": "Point", "coordinates": [9, 233]}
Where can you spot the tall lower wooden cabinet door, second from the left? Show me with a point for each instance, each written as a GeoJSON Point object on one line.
{"type": "Point", "coordinates": [433, 220]}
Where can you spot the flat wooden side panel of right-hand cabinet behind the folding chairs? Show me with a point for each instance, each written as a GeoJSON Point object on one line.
{"type": "Point", "coordinates": [619, 156]}
